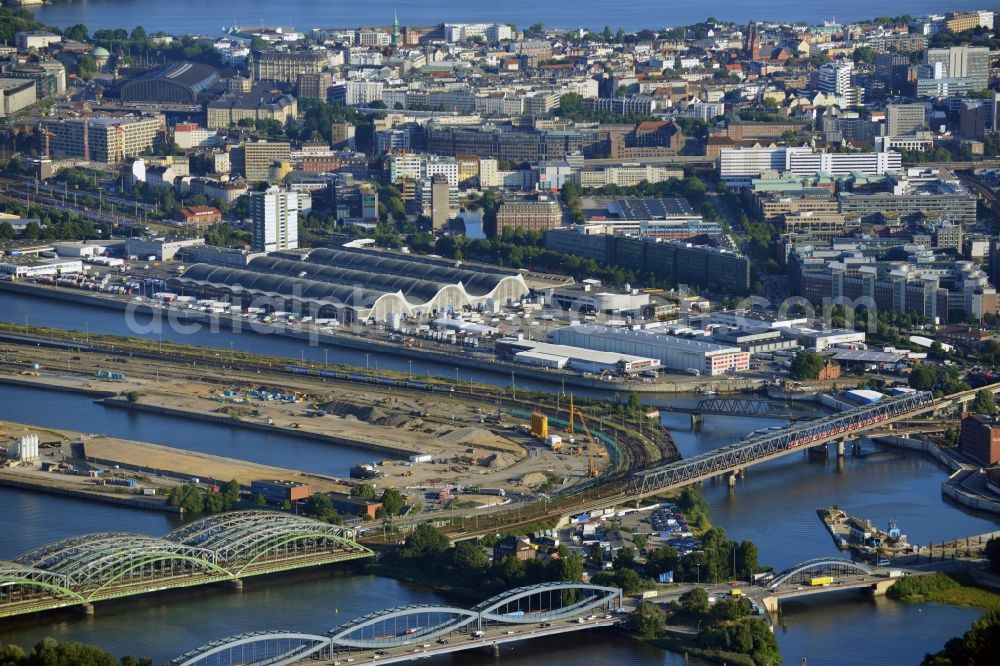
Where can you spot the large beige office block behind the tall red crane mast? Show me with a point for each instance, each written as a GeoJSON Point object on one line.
{"type": "Point", "coordinates": [107, 139]}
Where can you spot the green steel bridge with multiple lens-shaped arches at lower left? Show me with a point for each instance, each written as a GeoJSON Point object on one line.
{"type": "Point", "coordinates": [84, 569]}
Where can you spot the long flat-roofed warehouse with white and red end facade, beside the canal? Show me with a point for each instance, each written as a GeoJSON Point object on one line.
{"type": "Point", "coordinates": [674, 353]}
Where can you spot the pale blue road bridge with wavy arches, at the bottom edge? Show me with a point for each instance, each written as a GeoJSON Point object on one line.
{"type": "Point", "coordinates": [416, 632]}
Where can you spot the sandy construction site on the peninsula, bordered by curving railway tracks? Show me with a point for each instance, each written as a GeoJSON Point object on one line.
{"type": "Point", "coordinates": [423, 440]}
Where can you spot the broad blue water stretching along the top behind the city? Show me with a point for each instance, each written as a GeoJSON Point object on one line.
{"type": "Point", "coordinates": [208, 16]}
